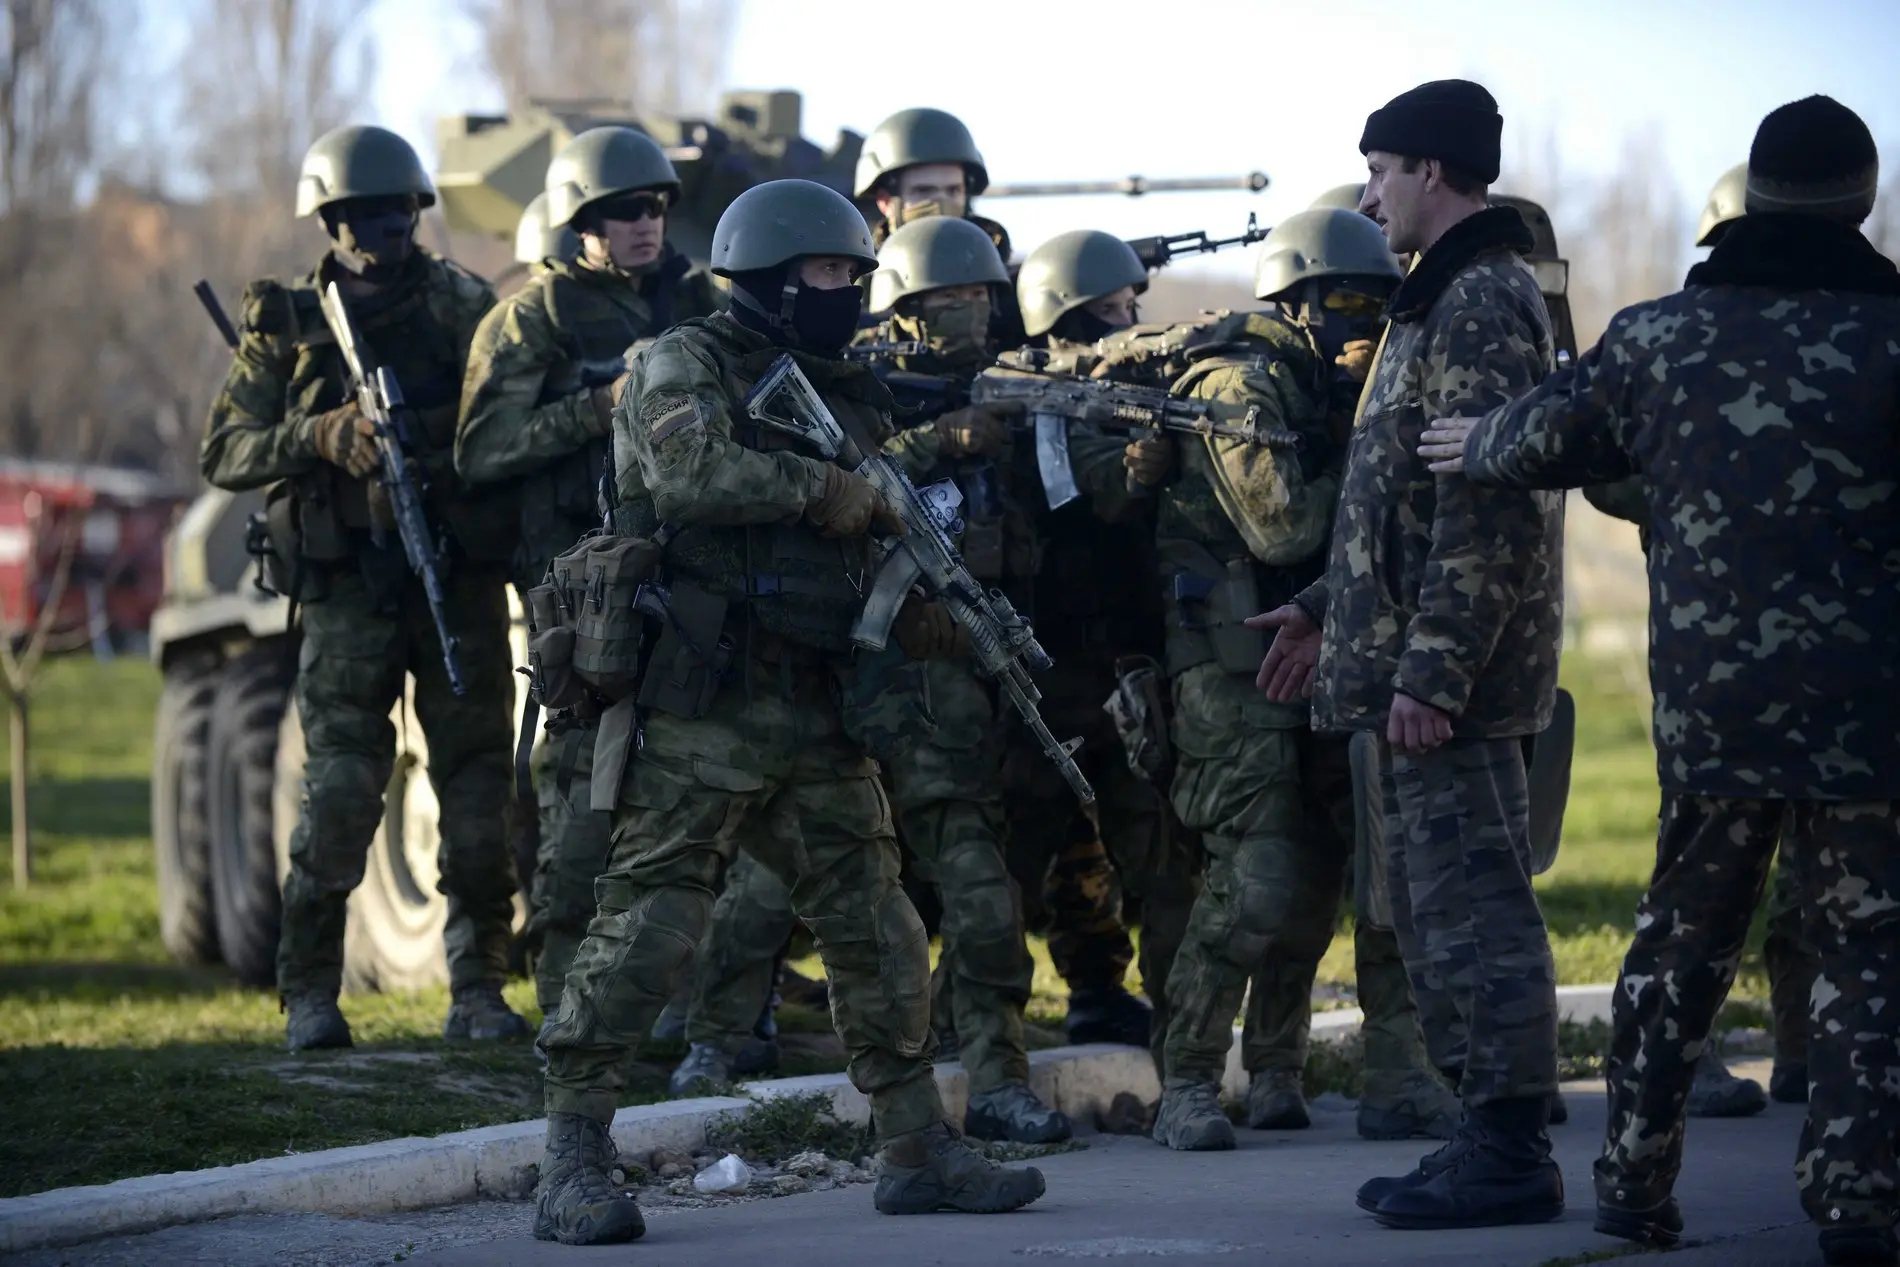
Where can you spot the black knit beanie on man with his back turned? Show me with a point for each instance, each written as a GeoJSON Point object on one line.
{"type": "Point", "coordinates": [1814, 157]}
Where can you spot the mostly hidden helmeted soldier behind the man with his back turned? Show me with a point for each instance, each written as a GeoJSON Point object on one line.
{"type": "Point", "coordinates": [1787, 951]}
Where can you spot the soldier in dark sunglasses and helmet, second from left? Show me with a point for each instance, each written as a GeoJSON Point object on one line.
{"type": "Point", "coordinates": [537, 417]}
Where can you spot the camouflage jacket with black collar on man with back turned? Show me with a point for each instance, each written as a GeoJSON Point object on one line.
{"type": "Point", "coordinates": [1760, 415]}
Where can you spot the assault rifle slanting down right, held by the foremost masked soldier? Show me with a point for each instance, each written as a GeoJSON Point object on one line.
{"type": "Point", "coordinates": [1004, 643]}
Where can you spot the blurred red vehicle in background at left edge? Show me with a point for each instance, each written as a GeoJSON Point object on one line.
{"type": "Point", "coordinates": [117, 521]}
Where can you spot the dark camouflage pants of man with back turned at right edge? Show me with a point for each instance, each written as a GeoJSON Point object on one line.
{"type": "Point", "coordinates": [1713, 861]}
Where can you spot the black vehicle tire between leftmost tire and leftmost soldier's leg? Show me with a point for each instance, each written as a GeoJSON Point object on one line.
{"type": "Point", "coordinates": [246, 715]}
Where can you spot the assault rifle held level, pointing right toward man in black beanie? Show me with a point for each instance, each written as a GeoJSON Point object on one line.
{"type": "Point", "coordinates": [1054, 402]}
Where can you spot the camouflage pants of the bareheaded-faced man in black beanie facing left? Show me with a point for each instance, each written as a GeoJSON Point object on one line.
{"type": "Point", "coordinates": [1468, 922]}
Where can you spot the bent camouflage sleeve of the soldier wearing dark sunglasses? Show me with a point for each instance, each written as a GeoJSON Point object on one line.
{"type": "Point", "coordinates": [504, 432]}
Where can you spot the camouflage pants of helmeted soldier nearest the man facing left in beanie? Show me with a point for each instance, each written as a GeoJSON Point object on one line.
{"type": "Point", "coordinates": [1268, 799]}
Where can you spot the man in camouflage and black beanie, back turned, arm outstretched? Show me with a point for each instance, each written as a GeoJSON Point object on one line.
{"type": "Point", "coordinates": [1758, 407]}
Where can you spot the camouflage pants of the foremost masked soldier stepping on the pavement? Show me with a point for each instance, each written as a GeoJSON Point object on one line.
{"type": "Point", "coordinates": [769, 770]}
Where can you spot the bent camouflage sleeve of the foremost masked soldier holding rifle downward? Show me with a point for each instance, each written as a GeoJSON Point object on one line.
{"type": "Point", "coordinates": [677, 423]}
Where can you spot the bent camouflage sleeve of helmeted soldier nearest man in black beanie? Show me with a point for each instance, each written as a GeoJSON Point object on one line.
{"type": "Point", "coordinates": [1278, 504]}
